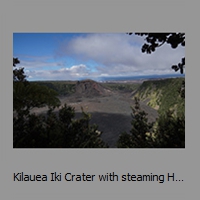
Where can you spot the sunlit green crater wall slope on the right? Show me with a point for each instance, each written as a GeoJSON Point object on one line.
{"type": "Point", "coordinates": [162, 95]}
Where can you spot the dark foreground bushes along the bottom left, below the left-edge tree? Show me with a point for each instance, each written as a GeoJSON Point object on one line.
{"type": "Point", "coordinates": [56, 131]}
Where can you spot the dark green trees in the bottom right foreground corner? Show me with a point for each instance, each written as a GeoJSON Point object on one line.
{"type": "Point", "coordinates": [167, 132]}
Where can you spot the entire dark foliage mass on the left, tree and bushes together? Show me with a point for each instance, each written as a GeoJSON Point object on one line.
{"type": "Point", "coordinates": [50, 130]}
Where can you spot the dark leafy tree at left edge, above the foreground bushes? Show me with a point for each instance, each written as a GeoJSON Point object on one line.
{"type": "Point", "coordinates": [28, 95]}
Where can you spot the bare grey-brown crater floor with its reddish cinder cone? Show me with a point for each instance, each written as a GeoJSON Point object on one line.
{"type": "Point", "coordinates": [109, 109]}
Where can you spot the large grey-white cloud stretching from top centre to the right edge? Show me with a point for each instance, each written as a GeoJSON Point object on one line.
{"type": "Point", "coordinates": [120, 54]}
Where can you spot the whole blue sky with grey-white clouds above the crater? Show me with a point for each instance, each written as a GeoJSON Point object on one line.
{"type": "Point", "coordinates": [75, 56]}
